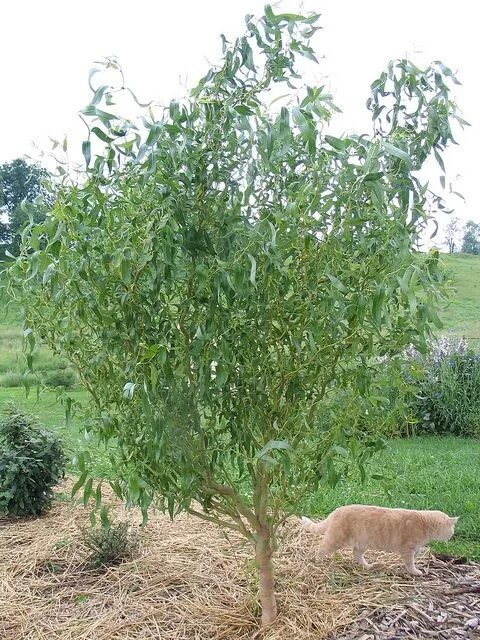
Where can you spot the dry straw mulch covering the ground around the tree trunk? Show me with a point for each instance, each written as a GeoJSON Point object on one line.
{"type": "Point", "coordinates": [190, 582]}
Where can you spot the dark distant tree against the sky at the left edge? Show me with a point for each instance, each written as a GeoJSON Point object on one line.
{"type": "Point", "coordinates": [20, 182]}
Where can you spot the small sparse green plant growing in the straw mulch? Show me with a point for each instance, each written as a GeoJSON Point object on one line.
{"type": "Point", "coordinates": [110, 545]}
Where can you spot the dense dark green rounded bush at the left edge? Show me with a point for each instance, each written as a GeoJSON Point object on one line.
{"type": "Point", "coordinates": [31, 464]}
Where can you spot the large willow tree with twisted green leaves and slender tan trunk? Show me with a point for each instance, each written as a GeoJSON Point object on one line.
{"type": "Point", "coordinates": [226, 264]}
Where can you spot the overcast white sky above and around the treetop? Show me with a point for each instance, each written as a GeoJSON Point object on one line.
{"type": "Point", "coordinates": [48, 47]}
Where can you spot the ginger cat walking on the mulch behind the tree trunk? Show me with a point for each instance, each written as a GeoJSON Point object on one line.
{"type": "Point", "coordinates": [402, 531]}
